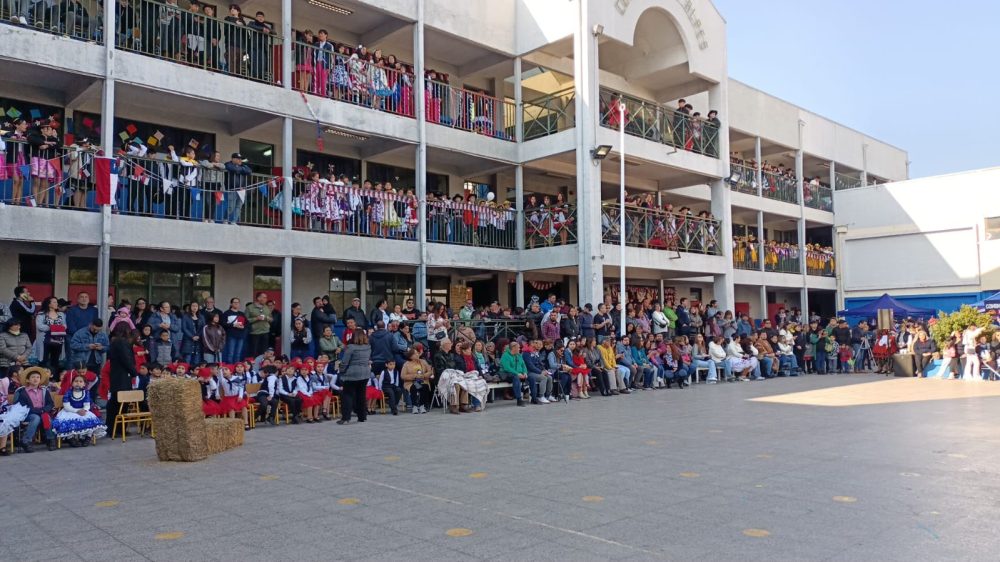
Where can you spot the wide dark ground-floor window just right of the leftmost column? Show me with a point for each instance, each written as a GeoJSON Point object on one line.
{"type": "Point", "coordinates": [161, 281]}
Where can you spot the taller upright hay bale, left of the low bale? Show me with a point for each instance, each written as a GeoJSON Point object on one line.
{"type": "Point", "coordinates": [178, 419]}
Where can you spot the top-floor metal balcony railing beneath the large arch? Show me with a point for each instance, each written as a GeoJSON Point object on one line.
{"type": "Point", "coordinates": [651, 121]}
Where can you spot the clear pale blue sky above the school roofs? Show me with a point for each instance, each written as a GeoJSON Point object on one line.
{"type": "Point", "coordinates": [922, 75]}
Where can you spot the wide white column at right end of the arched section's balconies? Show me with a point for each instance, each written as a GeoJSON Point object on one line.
{"type": "Point", "coordinates": [718, 96]}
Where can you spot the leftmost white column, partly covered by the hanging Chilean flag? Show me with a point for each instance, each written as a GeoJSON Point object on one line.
{"type": "Point", "coordinates": [108, 142]}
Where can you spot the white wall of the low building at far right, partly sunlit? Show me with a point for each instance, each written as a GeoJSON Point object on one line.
{"type": "Point", "coordinates": [925, 235]}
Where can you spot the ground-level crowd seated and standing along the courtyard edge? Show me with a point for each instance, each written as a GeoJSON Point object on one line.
{"type": "Point", "coordinates": [405, 358]}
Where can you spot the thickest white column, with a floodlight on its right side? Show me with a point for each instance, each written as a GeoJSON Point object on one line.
{"type": "Point", "coordinates": [585, 82]}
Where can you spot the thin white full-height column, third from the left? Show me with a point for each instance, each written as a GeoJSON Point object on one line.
{"type": "Point", "coordinates": [421, 157]}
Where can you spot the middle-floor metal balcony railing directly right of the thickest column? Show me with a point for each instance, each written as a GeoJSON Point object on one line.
{"type": "Point", "coordinates": [651, 228]}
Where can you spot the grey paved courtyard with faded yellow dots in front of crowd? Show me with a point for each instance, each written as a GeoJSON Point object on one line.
{"type": "Point", "coordinates": [699, 474]}
